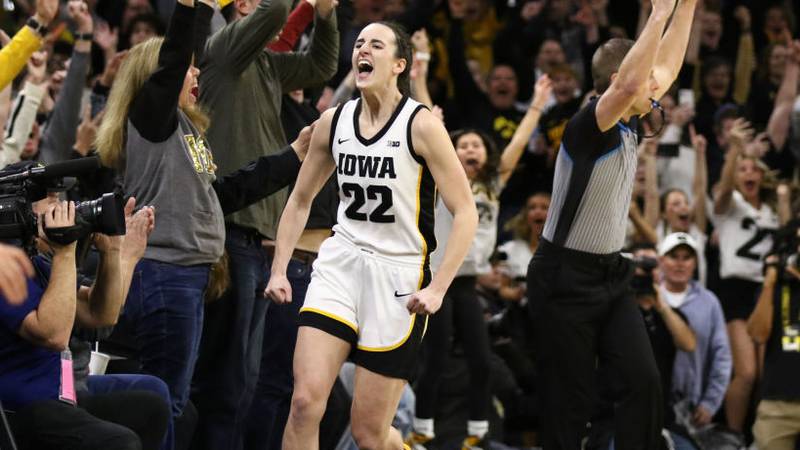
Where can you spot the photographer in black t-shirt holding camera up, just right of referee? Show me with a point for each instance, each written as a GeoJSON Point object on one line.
{"type": "Point", "coordinates": [668, 331]}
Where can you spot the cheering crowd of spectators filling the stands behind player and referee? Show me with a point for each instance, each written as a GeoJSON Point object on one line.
{"type": "Point", "coordinates": [231, 82]}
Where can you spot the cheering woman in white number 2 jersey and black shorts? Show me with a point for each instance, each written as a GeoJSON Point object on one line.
{"type": "Point", "coordinates": [745, 218]}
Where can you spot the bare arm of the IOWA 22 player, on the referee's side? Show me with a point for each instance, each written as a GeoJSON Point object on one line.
{"type": "Point", "coordinates": [432, 143]}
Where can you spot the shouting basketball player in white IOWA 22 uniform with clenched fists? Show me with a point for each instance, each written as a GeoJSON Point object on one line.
{"type": "Point", "coordinates": [371, 287]}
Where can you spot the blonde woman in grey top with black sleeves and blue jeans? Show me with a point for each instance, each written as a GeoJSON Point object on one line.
{"type": "Point", "coordinates": [153, 135]}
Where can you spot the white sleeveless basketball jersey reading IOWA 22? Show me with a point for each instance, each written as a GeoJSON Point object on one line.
{"type": "Point", "coordinates": [386, 192]}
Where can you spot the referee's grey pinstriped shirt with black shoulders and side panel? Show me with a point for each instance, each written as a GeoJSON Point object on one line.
{"type": "Point", "coordinates": [593, 184]}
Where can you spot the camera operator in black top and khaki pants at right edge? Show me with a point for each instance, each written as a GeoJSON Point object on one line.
{"type": "Point", "coordinates": [776, 323]}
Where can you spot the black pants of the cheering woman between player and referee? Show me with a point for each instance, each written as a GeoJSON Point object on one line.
{"type": "Point", "coordinates": [461, 315]}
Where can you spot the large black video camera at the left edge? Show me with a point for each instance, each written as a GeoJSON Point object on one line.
{"type": "Point", "coordinates": [23, 184]}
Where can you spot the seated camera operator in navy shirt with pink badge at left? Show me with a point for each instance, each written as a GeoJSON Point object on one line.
{"type": "Point", "coordinates": [36, 377]}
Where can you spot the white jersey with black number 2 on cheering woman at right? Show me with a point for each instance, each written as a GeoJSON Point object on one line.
{"type": "Point", "coordinates": [745, 236]}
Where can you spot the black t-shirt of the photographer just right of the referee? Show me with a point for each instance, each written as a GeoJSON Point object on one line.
{"type": "Point", "coordinates": [664, 350]}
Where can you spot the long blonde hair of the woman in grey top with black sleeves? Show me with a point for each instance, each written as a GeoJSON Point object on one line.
{"type": "Point", "coordinates": [139, 64]}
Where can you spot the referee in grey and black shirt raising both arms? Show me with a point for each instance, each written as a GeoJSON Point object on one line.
{"type": "Point", "coordinates": [583, 310]}
